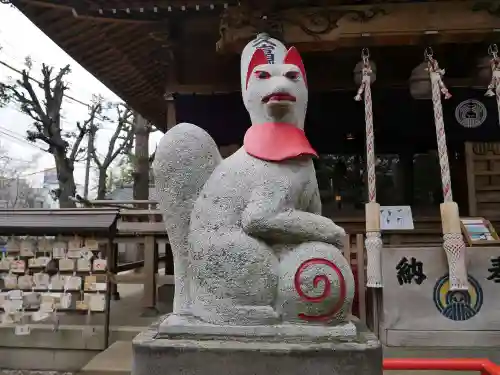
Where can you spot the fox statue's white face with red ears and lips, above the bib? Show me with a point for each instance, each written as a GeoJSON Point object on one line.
{"type": "Point", "coordinates": [275, 93]}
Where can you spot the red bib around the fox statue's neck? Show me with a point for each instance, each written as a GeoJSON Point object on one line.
{"type": "Point", "coordinates": [276, 142]}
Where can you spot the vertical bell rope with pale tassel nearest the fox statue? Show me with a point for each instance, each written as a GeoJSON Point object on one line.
{"type": "Point", "coordinates": [373, 242]}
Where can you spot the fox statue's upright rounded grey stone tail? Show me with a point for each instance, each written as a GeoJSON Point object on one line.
{"type": "Point", "coordinates": [185, 158]}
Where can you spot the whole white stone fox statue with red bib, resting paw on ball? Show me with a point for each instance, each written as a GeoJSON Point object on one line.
{"type": "Point", "coordinates": [250, 245]}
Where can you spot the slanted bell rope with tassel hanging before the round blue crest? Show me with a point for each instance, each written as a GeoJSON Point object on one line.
{"type": "Point", "coordinates": [453, 243]}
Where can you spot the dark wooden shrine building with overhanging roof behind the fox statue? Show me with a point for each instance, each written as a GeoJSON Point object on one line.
{"type": "Point", "coordinates": [179, 61]}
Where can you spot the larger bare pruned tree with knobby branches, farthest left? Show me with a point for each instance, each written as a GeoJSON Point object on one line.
{"type": "Point", "coordinates": [45, 110]}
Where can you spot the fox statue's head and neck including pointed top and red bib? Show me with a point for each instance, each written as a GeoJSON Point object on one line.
{"type": "Point", "coordinates": [274, 89]}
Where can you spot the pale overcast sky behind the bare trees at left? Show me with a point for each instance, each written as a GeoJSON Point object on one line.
{"type": "Point", "coordinates": [20, 38]}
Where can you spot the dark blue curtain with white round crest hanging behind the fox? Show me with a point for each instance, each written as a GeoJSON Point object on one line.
{"type": "Point", "coordinates": [399, 119]}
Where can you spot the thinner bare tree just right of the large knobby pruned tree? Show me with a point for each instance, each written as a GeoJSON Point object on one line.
{"type": "Point", "coordinates": [121, 143]}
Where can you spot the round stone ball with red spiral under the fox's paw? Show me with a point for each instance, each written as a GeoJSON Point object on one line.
{"type": "Point", "coordinates": [315, 285]}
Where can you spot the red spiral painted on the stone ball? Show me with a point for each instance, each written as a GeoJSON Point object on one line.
{"type": "Point", "coordinates": [326, 292]}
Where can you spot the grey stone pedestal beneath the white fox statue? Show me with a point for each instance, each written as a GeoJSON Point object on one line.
{"type": "Point", "coordinates": [266, 350]}
